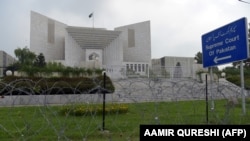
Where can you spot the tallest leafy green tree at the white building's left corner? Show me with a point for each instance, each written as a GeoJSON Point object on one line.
{"type": "Point", "coordinates": [25, 56]}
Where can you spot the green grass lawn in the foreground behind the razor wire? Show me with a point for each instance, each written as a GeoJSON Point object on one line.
{"type": "Point", "coordinates": [45, 123]}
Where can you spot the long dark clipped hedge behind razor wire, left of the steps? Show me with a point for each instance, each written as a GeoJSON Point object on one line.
{"type": "Point", "coordinates": [54, 85]}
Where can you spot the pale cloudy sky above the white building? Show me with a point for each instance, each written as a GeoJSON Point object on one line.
{"type": "Point", "coordinates": [176, 25]}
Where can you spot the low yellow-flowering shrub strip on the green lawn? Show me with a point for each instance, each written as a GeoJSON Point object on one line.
{"type": "Point", "coordinates": [93, 109]}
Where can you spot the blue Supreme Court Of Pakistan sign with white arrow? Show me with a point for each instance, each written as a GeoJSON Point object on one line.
{"type": "Point", "coordinates": [226, 44]}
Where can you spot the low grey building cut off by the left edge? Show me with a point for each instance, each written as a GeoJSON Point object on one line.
{"type": "Point", "coordinates": [5, 61]}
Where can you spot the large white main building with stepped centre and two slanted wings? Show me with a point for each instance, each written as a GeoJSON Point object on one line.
{"type": "Point", "coordinates": [119, 51]}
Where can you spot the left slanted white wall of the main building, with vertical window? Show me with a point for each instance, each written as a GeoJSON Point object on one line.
{"type": "Point", "coordinates": [53, 48]}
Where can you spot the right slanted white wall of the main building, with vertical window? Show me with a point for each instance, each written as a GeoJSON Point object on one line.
{"type": "Point", "coordinates": [141, 51]}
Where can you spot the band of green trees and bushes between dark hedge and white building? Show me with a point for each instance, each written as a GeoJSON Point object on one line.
{"type": "Point", "coordinates": [34, 65]}
